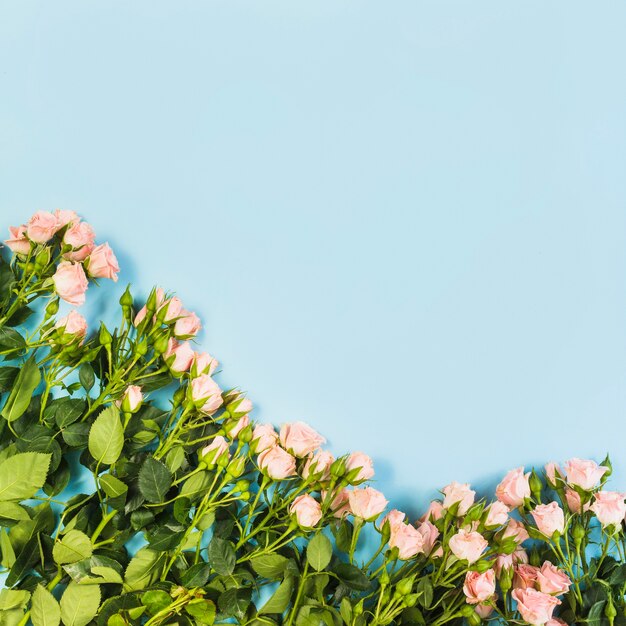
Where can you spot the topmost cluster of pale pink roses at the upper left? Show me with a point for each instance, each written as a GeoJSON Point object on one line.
{"type": "Point", "coordinates": [79, 255]}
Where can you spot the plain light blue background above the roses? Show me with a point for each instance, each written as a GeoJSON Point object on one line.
{"type": "Point", "coordinates": [402, 222]}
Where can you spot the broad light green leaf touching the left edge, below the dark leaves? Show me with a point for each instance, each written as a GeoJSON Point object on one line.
{"type": "Point", "coordinates": [23, 475]}
